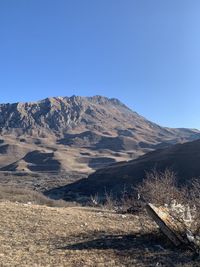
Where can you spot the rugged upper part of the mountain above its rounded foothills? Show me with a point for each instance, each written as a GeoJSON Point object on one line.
{"type": "Point", "coordinates": [60, 115]}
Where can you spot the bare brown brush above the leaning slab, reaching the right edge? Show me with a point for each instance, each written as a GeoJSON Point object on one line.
{"type": "Point", "coordinates": [161, 188]}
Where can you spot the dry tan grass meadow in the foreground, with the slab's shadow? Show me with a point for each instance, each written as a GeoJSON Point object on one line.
{"type": "Point", "coordinates": [33, 235]}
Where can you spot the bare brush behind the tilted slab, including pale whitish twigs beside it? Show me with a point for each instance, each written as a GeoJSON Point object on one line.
{"type": "Point", "coordinates": [160, 188]}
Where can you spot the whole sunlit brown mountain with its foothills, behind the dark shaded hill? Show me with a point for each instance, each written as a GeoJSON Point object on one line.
{"type": "Point", "coordinates": [78, 133]}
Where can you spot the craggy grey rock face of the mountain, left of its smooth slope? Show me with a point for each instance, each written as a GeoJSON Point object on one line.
{"type": "Point", "coordinates": [57, 114]}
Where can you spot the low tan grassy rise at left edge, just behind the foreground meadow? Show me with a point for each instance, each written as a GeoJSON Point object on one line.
{"type": "Point", "coordinates": [23, 195]}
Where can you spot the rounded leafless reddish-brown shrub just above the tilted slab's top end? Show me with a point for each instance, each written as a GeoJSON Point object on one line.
{"type": "Point", "coordinates": [160, 188]}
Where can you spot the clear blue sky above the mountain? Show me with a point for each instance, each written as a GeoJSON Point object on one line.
{"type": "Point", "coordinates": [144, 52]}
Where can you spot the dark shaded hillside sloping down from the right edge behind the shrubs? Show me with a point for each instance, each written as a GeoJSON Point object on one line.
{"type": "Point", "coordinates": [183, 159]}
